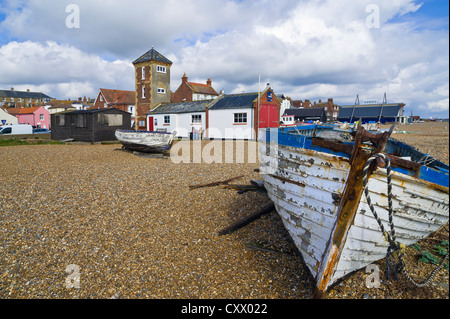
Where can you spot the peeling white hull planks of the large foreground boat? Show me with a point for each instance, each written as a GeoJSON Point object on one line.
{"type": "Point", "coordinates": [306, 187]}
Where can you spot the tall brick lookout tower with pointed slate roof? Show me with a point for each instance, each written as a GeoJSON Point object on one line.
{"type": "Point", "coordinates": [152, 84]}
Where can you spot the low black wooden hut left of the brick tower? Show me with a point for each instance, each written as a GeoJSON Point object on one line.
{"type": "Point", "coordinates": [89, 125]}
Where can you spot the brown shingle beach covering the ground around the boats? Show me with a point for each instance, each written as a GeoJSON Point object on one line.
{"type": "Point", "coordinates": [132, 228]}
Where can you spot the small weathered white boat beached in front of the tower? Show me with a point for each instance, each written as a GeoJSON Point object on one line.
{"type": "Point", "coordinates": [145, 141]}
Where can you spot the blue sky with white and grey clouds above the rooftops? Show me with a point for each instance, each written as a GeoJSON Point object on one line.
{"type": "Point", "coordinates": [304, 49]}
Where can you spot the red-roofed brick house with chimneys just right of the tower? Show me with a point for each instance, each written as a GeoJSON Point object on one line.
{"type": "Point", "coordinates": [191, 91]}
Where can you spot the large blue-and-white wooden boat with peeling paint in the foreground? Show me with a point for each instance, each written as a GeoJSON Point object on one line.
{"type": "Point", "coordinates": [315, 176]}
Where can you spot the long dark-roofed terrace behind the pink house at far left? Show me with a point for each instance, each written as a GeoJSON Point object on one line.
{"type": "Point", "coordinates": [12, 98]}
